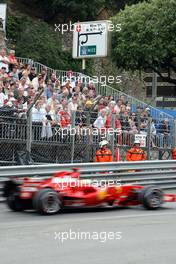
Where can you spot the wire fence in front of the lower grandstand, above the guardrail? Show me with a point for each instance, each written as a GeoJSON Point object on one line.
{"type": "Point", "coordinates": [76, 138]}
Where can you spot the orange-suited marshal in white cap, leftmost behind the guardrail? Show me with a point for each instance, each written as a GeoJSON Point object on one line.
{"type": "Point", "coordinates": [103, 154]}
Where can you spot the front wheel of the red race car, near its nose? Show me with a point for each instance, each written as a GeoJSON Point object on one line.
{"type": "Point", "coordinates": [151, 197]}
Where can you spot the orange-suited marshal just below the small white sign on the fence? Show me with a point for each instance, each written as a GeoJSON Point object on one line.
{"type": "Point", "coordinates": [136, 153]}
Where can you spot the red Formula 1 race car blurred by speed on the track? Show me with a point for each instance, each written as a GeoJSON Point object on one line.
{"type": "Point", "coordinates": [66, 189]}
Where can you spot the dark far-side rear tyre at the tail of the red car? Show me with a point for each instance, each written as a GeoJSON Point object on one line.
{"type": "Point", "coordinates": [14, 202]}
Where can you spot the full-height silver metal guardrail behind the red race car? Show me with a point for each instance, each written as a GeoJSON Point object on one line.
{"type": "Point", "coordinates": [157, 172]}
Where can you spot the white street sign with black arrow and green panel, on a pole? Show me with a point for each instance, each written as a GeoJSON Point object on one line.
{"type": "Point", "coordinates": [91, 39]}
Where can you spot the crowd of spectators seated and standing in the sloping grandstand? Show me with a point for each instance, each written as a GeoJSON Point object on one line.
{"type": "Point", "coordinates": [20, 84]}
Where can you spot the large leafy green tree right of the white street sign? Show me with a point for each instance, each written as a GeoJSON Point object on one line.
{"type": "Point", "coordinates": [147, 38]}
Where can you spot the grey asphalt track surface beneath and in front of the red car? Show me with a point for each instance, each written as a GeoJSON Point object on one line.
{"type": "Point", "coordinates": [113, 236]}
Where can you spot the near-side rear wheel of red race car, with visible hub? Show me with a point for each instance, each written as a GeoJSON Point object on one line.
{"type": "Point", "coordinates": [47, 202]}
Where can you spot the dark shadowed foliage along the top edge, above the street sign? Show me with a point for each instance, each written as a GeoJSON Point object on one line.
{"type": "Point", "coordinates": [77, 10]}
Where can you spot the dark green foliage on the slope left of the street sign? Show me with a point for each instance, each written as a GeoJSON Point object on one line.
{"type": "Point", "coordinates": [38, 41]}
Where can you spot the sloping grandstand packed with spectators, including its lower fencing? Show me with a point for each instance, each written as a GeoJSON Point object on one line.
{"type": "Point", "coordinates": [67, 100]}
